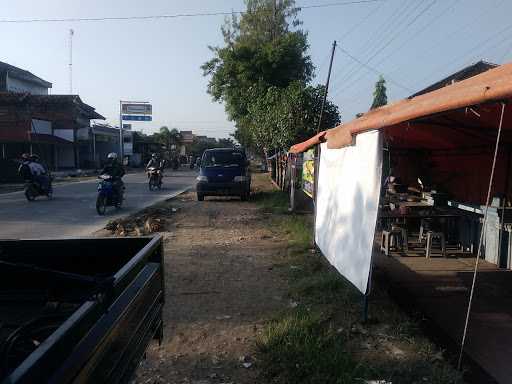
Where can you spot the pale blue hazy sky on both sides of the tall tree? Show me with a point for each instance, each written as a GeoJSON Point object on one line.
{"type": "Point", "coordinates": [412, 43]}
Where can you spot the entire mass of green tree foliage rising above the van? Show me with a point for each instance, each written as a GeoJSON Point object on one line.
{"type": "Point", "coordinates": [264, 61]}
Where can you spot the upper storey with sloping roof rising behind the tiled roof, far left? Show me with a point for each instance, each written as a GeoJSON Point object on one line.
{"type": "Point", "coordinates": [14, 79]}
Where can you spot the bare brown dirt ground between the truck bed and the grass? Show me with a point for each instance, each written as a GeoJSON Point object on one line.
{"type": "Point", "coordinates": [221, 287]}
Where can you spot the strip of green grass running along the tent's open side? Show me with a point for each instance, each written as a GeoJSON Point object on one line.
{"type": "Point", "coordinates": [322, 340]}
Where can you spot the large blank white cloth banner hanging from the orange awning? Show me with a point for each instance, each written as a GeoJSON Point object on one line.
{"type": "Point", "coordinates": [349, 183]}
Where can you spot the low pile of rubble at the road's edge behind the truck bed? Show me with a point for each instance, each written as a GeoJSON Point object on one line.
{"type": "Point", "coordinates": [149, 221]}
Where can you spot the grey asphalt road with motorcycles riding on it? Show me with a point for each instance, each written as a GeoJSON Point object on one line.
{"type": "Point", "coordinates": [72, 212]}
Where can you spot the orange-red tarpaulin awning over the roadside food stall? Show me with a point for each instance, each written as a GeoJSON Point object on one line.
{"type": "Point", "coordinates": [463, 107]}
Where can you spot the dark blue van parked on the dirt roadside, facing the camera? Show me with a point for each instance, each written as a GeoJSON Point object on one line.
{"type": "Point", "coordinates": [224, 172]}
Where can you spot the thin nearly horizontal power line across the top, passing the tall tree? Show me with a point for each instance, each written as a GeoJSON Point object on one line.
{"type": "Point", "coordinates": [172, 16]}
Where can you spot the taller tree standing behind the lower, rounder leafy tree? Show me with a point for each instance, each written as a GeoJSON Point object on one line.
{"type": "Point", "coordinates": [260, 52]}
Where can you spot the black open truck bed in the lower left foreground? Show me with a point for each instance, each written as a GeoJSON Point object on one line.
{"type": "Point", "coordinates": [78, 310]}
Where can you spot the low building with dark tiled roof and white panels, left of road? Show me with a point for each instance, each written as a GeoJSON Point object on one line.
{"type": "Point", "coordinates": [43, 124]}
